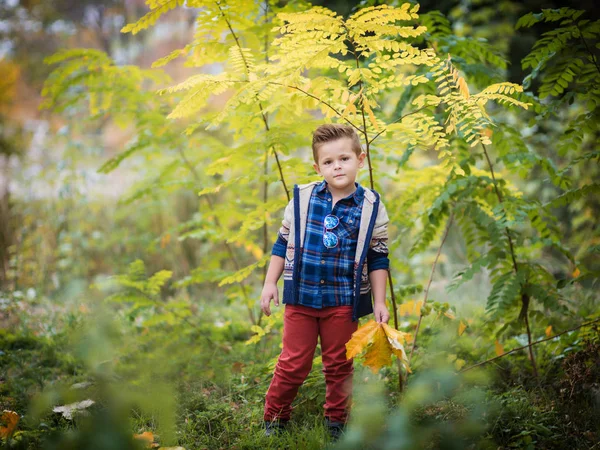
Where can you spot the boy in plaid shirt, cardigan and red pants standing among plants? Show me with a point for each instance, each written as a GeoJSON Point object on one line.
{"type": "Point", "coordinates": [333, 232]}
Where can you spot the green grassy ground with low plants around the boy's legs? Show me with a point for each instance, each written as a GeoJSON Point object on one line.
{"type": "Point", "coordinates": [200, 384]}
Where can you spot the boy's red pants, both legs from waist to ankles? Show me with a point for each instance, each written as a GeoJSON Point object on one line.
{"type": "Point", "coordinates": [301, 327]}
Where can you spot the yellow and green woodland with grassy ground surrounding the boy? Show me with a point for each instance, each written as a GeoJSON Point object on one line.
{"type": "Point", "coordinates": [147, 150]}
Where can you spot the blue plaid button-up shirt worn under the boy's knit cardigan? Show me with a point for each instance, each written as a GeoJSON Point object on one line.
{"type": "Point", "coordinates": [326, 274]}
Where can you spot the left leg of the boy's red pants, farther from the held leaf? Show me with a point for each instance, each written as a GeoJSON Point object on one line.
{"type": "Point", "coordinates": [300, 333]}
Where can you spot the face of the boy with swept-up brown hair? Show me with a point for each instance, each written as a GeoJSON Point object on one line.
{"type": "Point", "coordinates": [338, 164]}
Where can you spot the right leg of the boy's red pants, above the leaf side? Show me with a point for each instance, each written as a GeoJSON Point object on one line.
{"type": "Point", "coordinates": [336, 328]}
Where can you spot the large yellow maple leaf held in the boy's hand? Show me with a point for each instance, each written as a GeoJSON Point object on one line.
{"type": "Point", "coordinates": [380, 341]}
